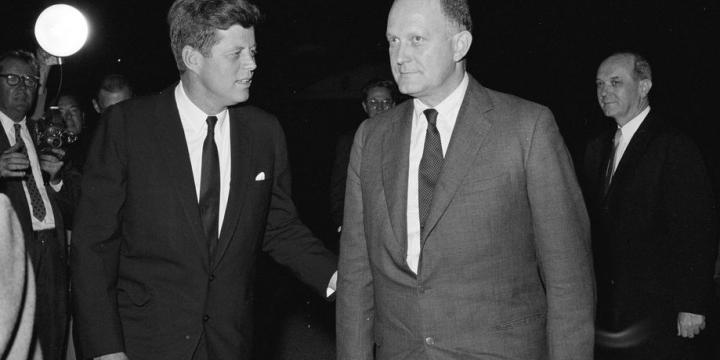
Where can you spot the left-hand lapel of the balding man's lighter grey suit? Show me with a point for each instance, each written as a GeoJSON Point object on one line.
{"type": "Point", "coordinates": [396, 153]}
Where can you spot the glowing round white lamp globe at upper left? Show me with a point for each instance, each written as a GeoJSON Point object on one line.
{"type": "Point", "coordinates": [61, 30]}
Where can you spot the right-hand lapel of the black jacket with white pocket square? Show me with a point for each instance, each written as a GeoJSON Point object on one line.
{"type": "Point", "coordinates": [240, 155]}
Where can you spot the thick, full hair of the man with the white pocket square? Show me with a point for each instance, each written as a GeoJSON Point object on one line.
{"type": "Point", "coordinates": [193, 23]}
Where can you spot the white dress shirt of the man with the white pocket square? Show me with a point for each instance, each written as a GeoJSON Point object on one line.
{"type": "Point", "coordinates": [195, 127]}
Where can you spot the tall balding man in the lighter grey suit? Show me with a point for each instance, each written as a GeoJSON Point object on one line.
{"type": "Point", "coordinates": [465, 232]}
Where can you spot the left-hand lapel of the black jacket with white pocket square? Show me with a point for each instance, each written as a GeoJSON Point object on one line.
{"type": "Point", "coordinates": [172, 146]}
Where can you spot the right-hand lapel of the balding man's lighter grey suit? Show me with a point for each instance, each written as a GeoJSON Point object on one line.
{"type": "Point", "coordinates": [471, 129]}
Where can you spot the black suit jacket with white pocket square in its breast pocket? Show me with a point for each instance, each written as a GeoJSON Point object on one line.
{"type": "Point", "coordinates": [143, 279]}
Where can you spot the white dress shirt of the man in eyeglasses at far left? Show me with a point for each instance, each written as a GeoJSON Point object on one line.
{"type": "Point", "coordinates": [8, 125]}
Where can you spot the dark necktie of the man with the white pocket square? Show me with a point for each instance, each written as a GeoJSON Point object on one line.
{"type": "Point", "coordinates": [210, 187]}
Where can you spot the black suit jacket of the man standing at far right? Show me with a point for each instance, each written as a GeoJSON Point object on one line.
{"type": "Point", "coordinates": [654, 231]}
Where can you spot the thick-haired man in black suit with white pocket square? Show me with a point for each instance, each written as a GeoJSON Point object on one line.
{"type": "Point", "coordinates": [179, 194]}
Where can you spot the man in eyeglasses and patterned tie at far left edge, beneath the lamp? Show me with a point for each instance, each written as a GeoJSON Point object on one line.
{"type": "Point", "coordinates": [35, 186]}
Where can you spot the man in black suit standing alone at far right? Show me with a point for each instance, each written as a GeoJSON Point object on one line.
{"type": "Point", "coordinates": [653, 221]}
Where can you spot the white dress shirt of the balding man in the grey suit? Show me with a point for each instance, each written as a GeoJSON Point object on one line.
{"type": "Point", "coordinates": [447, 115]}
